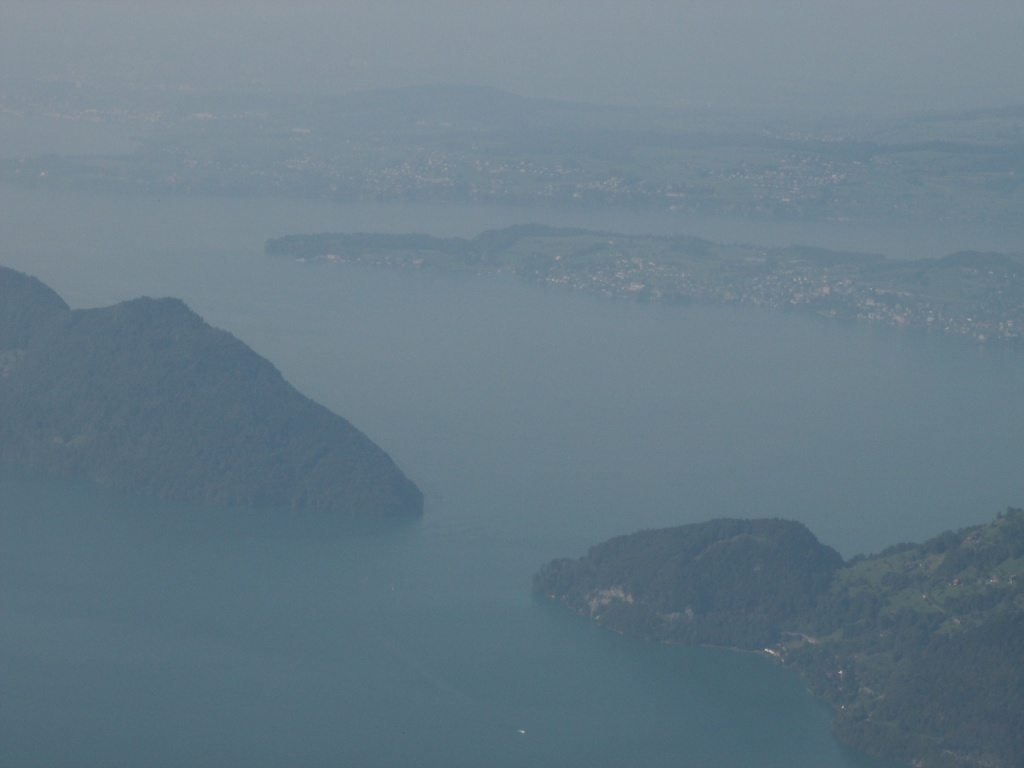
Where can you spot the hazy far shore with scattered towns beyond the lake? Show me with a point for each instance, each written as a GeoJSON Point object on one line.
{"type": "Point", "coordinates": [484, 147]}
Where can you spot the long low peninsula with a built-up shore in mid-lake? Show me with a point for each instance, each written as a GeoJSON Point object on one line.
{"type": "Point", "coordinates": [973, 295]}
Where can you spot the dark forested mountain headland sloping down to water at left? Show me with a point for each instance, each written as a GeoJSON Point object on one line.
{"type": "Point", "coordinates": [146, 398]}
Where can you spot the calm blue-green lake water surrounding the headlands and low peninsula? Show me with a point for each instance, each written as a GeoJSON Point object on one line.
{"type": "Point", "coordinates": [539, 422]}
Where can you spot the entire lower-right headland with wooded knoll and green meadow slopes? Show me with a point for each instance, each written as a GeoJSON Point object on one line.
{"type": "Point", "coordinates": [920, 650]}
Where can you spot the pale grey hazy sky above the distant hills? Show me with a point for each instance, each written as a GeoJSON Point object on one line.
{"type": "Point", "coordinates": [789, 55]}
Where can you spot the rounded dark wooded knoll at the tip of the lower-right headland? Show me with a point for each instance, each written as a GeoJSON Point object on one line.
{"type": "Point", "coordinates": [724, 582]}
